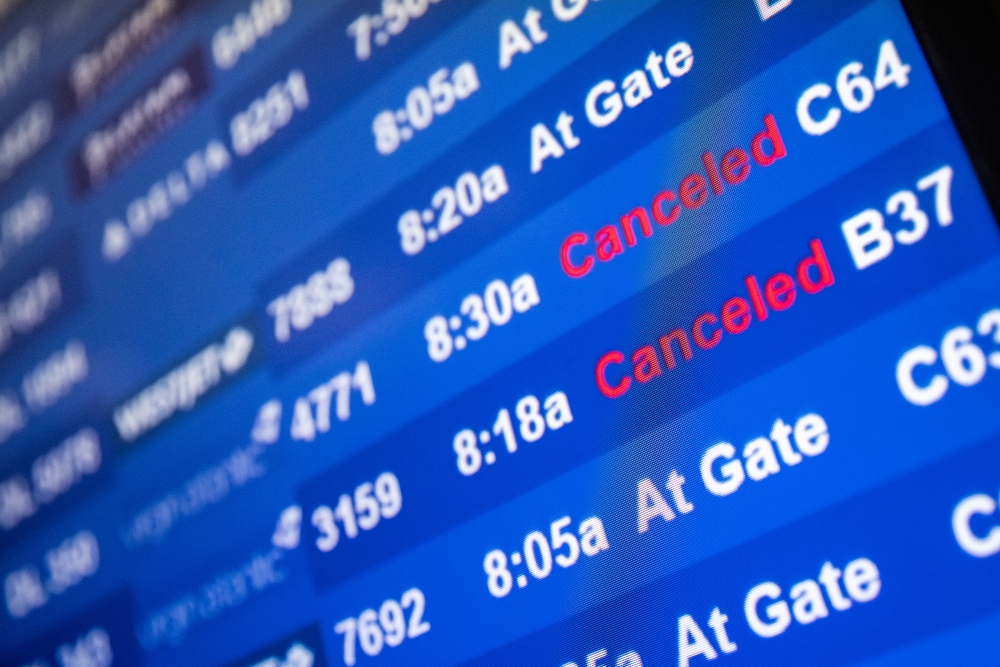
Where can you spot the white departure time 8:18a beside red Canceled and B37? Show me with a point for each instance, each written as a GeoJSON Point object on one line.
{"type": "Point", "coordinates": [532, 425]}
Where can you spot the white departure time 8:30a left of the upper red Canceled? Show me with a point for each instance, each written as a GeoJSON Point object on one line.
{"type": "Point", "coordinates": [496, 306]}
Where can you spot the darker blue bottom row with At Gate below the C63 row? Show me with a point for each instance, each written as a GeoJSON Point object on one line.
{"type": "Point", "coordinates": [922, 584]}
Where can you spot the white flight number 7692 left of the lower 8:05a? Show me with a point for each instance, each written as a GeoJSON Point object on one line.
{"type": "Point", "coordinates": [388, 626]}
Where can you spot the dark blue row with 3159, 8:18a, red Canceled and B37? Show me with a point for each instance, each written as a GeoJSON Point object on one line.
{"type": "Point", "coordinates": [664, 381]}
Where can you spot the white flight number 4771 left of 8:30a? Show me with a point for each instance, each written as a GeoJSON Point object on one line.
{"type": "Point", "coordinates": [312, 411]}
